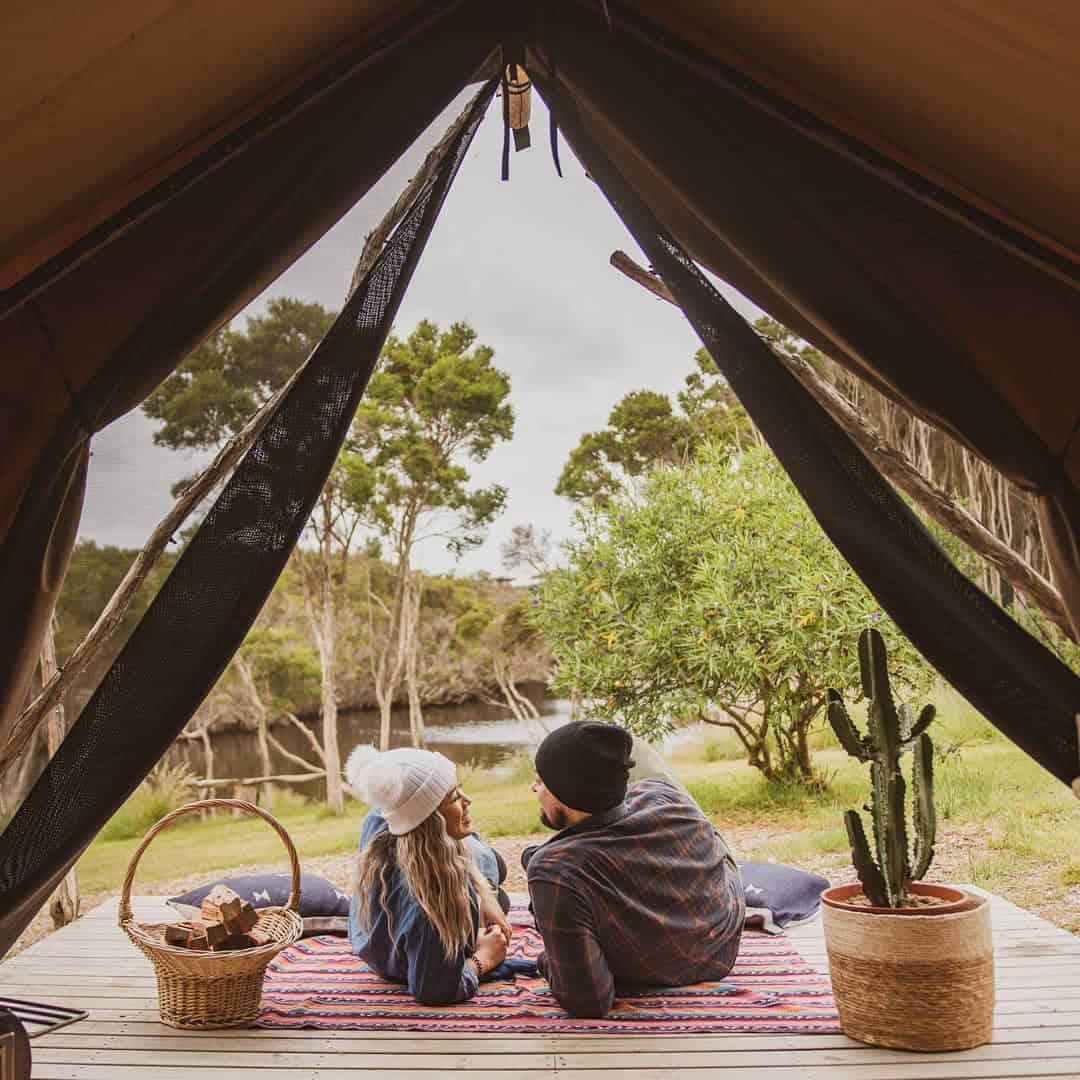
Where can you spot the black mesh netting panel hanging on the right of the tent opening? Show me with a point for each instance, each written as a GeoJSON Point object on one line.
{"type": "Point", "coordinates": [1008, 676]}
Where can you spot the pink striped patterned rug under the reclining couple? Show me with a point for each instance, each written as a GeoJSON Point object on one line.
{"type": "Point", "coordinates": [319, 983]}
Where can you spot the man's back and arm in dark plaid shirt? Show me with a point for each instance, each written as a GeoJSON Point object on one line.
{"type": "Point", "coordinates": [645, 895]}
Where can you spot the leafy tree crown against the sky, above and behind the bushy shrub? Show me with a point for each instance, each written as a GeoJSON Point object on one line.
{"type": "Point", "coordinates": [645, 430]}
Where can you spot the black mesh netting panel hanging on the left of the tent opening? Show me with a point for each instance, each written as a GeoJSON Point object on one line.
{"type": "Point", "coordinates": [209, 602]}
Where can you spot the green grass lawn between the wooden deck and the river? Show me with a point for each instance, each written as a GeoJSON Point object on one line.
{"type": "Point", "coordinates": [1004, 823]}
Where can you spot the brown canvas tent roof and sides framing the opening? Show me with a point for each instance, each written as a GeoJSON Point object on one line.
{"type": "Point", "coordinates": [896, 182]}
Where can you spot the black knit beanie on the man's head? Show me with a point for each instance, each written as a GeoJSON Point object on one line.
{"type": "Point", "coordinates": [587, 765]}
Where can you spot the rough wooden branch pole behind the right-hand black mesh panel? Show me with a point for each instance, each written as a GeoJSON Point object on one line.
{"type": "Point", "coordinates": [938, 504]}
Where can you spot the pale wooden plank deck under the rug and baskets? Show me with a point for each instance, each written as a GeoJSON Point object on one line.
{"type": "Point", "coordinates": [91, 965]}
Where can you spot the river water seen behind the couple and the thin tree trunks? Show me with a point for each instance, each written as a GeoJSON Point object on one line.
{"type": "Point", "coordinates": [476, 734]}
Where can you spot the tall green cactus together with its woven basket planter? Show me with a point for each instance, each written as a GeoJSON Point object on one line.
{"type": "Point", "coordinates": [912, 964]}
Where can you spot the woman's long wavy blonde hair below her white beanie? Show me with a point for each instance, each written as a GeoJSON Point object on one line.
{"type": "Point", "coordinates": [437, 870]}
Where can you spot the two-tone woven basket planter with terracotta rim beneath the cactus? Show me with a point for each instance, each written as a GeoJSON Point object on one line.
{"type": "Point", "coordinates": [913, 981]}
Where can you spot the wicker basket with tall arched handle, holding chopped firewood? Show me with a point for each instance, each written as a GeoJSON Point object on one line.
{"type": "Point", "coordinates": [212, 990]}
